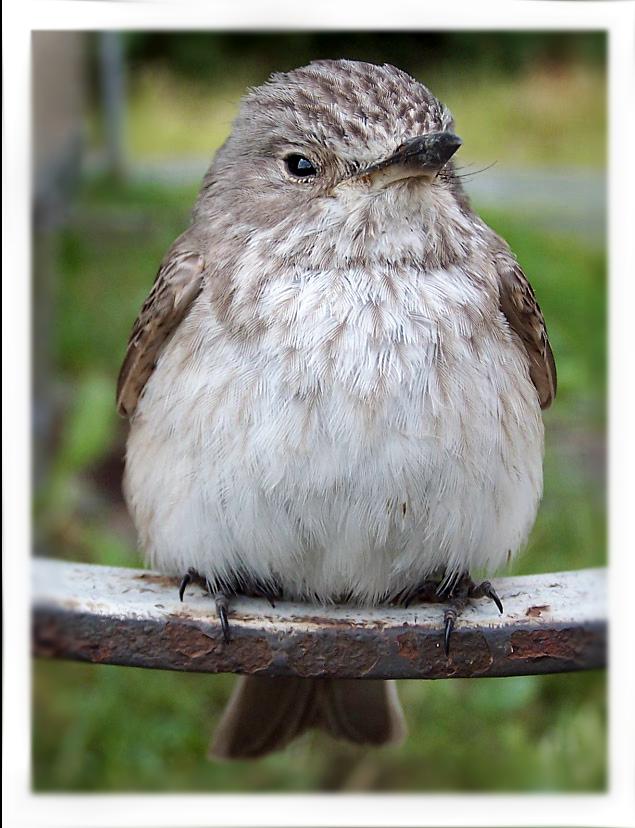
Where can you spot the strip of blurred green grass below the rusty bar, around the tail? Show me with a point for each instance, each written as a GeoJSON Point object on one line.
{"type": "Point", "coordinates": [105, 729]}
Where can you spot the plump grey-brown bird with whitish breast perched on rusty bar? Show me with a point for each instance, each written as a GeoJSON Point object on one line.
{"type": "Point", "coordinates": [334, 388]}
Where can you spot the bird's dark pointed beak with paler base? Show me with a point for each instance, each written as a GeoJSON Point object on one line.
{"type": "Point", "coordinates": [424, 155]}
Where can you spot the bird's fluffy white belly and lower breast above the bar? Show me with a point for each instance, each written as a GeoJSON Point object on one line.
{"type": "Point", "coordinates": [348, 462]}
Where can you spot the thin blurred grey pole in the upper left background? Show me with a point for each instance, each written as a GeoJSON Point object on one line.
{"type": "Point", "coordinates": [112, 76]}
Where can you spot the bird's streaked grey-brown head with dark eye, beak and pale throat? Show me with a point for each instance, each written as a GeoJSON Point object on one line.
{"type": "Point", "coordinates": [336, 147]}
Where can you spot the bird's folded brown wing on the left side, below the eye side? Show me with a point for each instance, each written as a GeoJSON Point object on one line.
{"type": "Point", "coordinates": [178, 283]}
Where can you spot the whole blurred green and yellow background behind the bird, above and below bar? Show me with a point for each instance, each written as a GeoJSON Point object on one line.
{"type": "Point", "coordinates": [532, 102]}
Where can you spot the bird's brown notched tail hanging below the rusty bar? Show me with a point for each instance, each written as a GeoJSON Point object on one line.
{"type": "Point", "coordinates": [265, 714]}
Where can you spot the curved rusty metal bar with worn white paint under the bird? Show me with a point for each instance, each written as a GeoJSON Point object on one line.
{"type": "Point", "coordinates": [552, 623]}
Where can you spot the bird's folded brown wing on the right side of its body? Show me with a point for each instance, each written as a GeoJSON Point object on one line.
{"type": "Point", "coordinates": [519, 305]}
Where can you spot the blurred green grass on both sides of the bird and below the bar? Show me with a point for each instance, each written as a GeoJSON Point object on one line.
{"type": "Point", "coordinates": [103, 728]}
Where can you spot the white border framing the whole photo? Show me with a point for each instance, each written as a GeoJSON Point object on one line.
{"type": "Point", "coordinates": [616, 808]}
